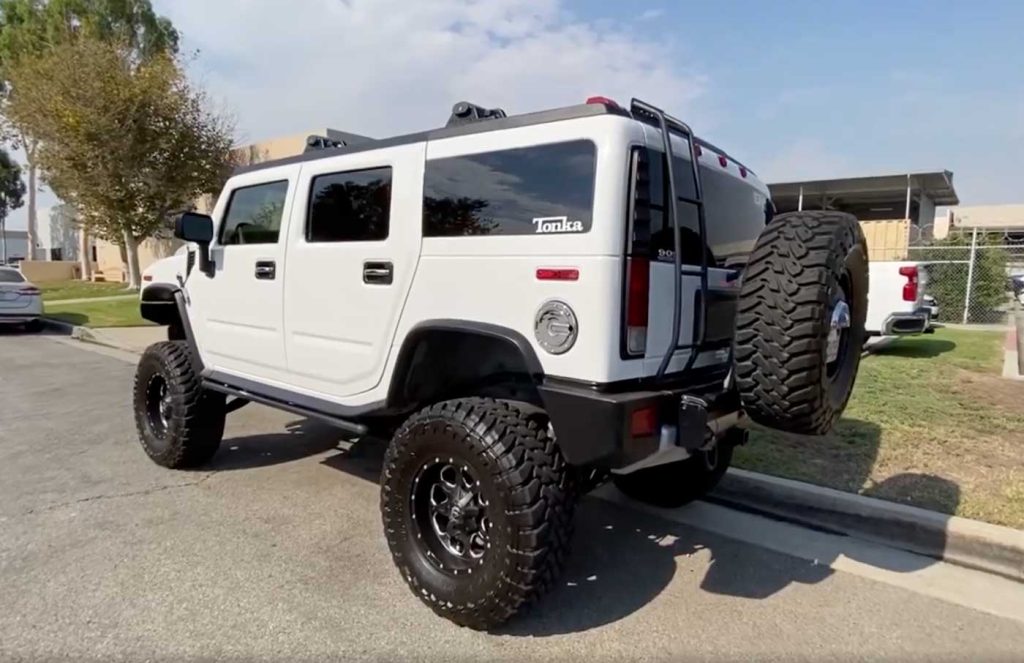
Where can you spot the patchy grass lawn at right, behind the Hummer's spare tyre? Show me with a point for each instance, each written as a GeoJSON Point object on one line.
{"type": "Point", "coordinates": [931, 424]}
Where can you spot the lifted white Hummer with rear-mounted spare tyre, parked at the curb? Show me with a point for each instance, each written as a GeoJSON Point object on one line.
{"type": "Point", "coordinates": [525, 305]}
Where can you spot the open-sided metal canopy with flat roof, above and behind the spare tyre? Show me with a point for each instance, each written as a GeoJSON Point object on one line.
{"type": "Point", "coordinates": [874, 197]}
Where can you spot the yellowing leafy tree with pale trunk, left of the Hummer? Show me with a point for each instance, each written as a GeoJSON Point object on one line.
{"type": "Point", "coordinates": [126, 142]}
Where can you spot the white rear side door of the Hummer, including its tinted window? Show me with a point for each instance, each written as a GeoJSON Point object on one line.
{"type": "Point", "coordinates": [352, 256]}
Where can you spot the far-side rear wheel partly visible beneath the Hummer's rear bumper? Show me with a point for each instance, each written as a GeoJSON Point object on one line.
{"type": "Point", "coordinates": [679, 483]}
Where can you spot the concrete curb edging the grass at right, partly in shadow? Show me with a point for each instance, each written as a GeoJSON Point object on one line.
{"type": "Point", "coordinates": [970, 544]}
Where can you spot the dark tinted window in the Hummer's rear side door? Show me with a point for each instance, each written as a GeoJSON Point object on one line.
{"type": "Point", "coordinates": [351, 206]}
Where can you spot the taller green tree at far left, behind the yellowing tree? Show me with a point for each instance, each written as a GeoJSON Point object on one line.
{"type": "Point", "coordinates": [29, 28]}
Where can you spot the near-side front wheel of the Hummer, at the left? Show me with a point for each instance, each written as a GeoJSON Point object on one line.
{"type": "Point", "coordinates": [180, 424]}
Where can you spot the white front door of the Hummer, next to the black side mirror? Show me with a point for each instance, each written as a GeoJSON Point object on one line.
{"type": "Point", "coordinates": [240, 308]}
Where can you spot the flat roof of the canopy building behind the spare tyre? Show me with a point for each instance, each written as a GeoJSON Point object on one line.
{"type": "Point", "coordinates": [938, 186]}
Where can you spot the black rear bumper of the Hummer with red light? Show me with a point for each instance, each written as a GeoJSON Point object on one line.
{"type": "Point", "coordinates": [629, 431]}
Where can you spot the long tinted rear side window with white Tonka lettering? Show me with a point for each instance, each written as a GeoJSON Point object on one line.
{"type": "Point", "coordinates": [528, 191]}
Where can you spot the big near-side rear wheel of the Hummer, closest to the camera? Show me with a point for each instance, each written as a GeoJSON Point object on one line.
{"type": "Point", "coordinates": [478, 507]}
